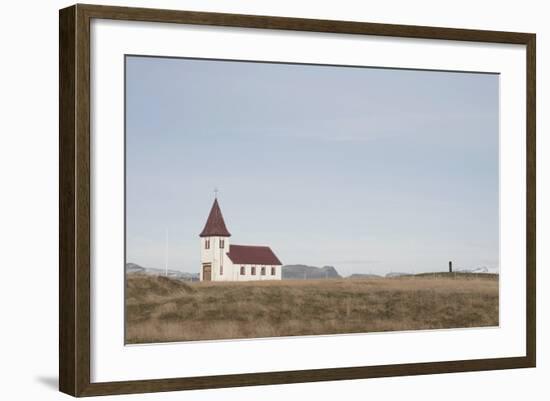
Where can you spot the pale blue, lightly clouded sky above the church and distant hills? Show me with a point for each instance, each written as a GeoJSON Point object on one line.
{"type": "Point", "coordinates": [368, 170]}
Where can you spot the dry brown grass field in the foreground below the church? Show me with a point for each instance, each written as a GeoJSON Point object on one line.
{"type": "Point", "coordinates": [160, 309]}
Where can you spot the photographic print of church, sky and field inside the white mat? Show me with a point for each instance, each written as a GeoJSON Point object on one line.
{"type": "Point", "coordinates": [276, 199]}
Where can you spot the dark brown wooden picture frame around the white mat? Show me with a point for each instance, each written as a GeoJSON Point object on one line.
{"type": "Point", "coordinates": [74, 200]}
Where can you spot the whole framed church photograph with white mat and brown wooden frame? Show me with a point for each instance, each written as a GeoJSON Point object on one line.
{"type": "Point", "coordinates": [250, 200]}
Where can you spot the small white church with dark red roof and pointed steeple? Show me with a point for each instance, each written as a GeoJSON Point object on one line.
{"type": "Point", "coordinates": [221, 261]}
